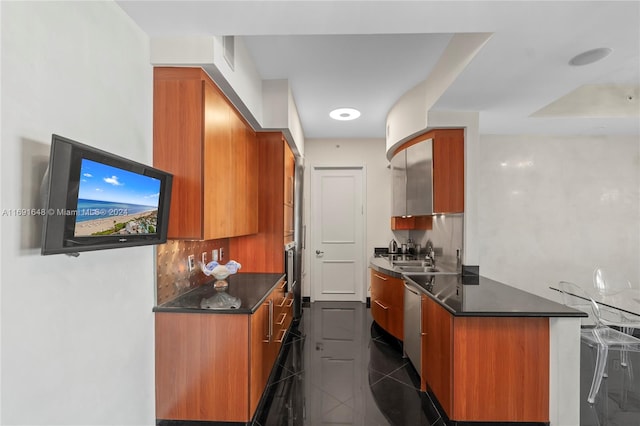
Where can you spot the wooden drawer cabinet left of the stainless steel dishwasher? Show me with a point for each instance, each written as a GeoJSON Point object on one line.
{"type": "Point", "coordinates": [387, 303]}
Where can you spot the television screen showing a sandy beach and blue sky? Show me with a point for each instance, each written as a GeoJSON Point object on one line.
{"type": "Point", "coordinates": [113, 201]}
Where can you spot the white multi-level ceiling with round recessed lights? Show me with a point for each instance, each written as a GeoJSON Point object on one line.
{"type": "Point", "coordinates": [366, 54]}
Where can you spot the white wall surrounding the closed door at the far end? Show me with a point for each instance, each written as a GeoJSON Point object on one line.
{"type": "Point", "coordinates": [370, 153]}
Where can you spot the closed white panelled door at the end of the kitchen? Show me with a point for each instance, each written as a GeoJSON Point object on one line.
{"type": "Point", "coordinates": [337, 233]}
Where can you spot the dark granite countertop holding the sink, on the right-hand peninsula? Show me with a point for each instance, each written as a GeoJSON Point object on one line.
{"type": "Point", "coordinates": [475, 295]}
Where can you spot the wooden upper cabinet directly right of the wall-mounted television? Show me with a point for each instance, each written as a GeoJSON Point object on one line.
{"type": "Point", "coordinates": [211, 151]}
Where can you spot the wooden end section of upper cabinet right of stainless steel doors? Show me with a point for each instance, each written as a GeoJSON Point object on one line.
{"type": "Point", "coordinates": [448, 171]}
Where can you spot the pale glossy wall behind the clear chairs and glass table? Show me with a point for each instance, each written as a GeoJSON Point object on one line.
{"type": "Point", "coordinates": [552, 208]}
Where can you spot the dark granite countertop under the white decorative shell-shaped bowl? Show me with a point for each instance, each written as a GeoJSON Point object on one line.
{"type": "Point", "coordinates": [251, 288]}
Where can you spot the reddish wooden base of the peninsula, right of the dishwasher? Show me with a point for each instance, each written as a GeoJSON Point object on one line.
{"type": "Point", "coordinates": [486, 369]}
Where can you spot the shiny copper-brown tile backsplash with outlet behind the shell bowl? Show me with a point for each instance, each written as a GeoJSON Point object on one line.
{"type": "Point", "coordinates": [173, 275]}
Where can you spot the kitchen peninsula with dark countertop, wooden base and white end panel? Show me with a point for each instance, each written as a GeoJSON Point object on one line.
{"type": "Point", "coordinates": [490, 352]}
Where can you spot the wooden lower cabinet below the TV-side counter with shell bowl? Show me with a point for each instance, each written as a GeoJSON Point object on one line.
{"type": "Point", "coordinates": [214, 367]}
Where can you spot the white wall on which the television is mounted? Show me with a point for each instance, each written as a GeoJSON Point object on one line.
{"type": "Point", "coordinates": [77, 333]}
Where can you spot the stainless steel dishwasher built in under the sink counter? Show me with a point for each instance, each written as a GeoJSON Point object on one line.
{"type": "Point", "coordinates": [413, 325]}
